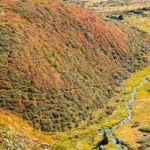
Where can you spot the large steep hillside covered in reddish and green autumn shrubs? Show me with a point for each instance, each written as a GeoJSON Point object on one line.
{"type": "Point", "coordinates": [58, 62]}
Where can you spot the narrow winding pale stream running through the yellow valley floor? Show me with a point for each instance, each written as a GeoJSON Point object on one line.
{"type": "Point", "coordinates": [109, 131]}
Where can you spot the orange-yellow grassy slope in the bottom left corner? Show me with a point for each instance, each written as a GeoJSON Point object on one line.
{"type": "Point", "coordinates": [15, 133]}
